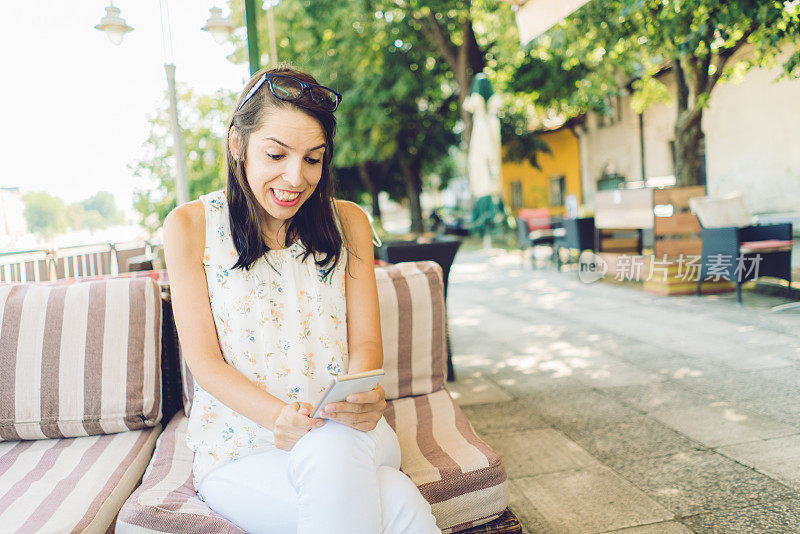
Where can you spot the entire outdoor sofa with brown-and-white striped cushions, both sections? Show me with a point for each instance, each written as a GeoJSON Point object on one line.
{"type": "Point", "coordinates": [91, 370]}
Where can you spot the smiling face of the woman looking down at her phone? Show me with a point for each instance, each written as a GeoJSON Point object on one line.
{"type": "Point", "coordinates": [284, 162]}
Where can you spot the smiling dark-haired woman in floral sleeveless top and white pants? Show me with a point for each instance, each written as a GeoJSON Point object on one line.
{"type": "Point", "coordinates": [284, 273]}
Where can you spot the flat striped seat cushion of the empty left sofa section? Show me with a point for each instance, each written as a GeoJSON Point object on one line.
{"type": "Point", "coordinates": [70, 485]}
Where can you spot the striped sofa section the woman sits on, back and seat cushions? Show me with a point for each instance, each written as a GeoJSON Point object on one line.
{"type": "Point", "coordinates": [462, 478]}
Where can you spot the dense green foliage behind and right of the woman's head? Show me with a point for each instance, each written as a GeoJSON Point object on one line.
{"type": "Point", "coordinates": [396, 63]}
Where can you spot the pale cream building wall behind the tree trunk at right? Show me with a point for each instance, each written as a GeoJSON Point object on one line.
{"type": "Point", "coordinates": [752, 130]}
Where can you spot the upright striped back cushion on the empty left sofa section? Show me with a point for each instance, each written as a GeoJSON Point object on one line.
{"type": "Point", "coordinates": [79, 359]}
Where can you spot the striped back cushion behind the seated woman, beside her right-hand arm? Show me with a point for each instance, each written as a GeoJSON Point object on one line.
{"type": "Point", "coordinates": [412, 309]}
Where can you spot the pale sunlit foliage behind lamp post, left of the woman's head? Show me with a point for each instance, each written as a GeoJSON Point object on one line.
{"type": "Point", "coordinates": [203, 120]}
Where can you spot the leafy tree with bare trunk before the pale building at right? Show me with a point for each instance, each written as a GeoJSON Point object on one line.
{"type": "Point", "coordinates": [607, 41]}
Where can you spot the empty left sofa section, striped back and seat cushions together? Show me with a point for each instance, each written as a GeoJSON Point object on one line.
{"type": "Point", "coordinates": [80, 400]}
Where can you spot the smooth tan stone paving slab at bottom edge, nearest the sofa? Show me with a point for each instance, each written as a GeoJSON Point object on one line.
{"type": "Point", "coordinates": [588, 500]}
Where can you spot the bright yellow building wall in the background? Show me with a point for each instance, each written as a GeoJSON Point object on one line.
{"type": "Point", "coordinates": [564, 160]}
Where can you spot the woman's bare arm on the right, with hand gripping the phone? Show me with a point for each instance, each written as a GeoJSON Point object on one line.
{"type": "Point", "coordinates": [365, 346]}
